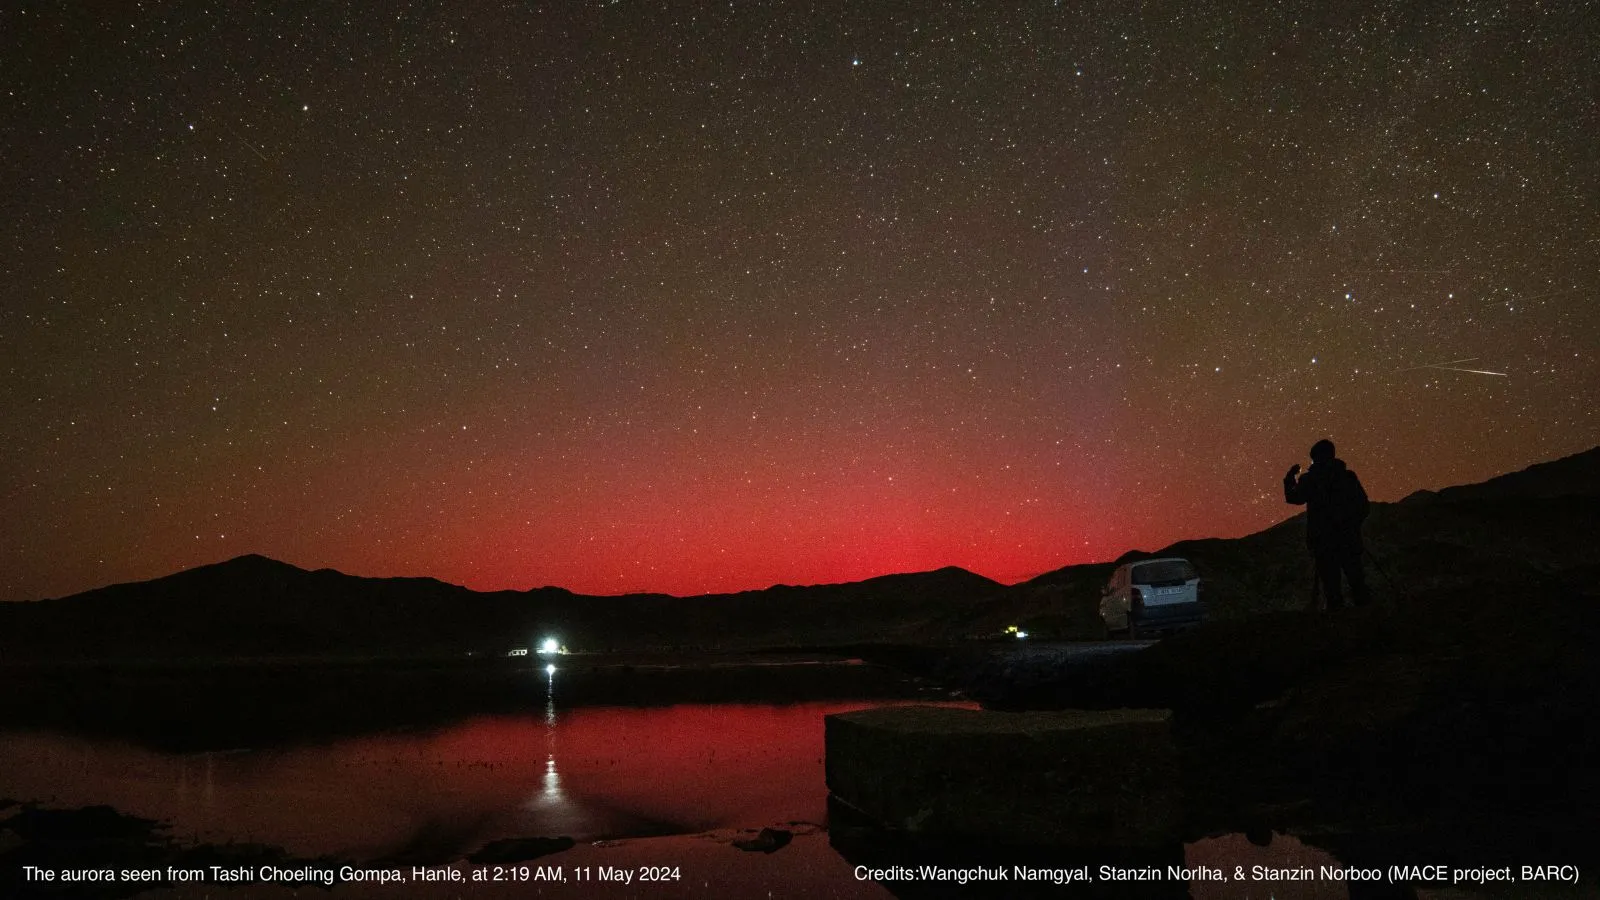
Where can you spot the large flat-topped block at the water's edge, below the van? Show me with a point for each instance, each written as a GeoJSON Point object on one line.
{"type": "Point", "coordinates": [1070, 777]}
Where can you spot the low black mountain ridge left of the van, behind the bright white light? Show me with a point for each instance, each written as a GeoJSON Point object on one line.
{"type": "Point", "coordinates": [258, 608]}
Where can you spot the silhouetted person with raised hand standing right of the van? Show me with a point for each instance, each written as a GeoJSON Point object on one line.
{"type": "Point", "coordinates": [1335, 510]}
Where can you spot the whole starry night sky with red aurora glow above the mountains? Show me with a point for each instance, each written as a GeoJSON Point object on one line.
{"type": "Point", "coordinates": [706, 297]}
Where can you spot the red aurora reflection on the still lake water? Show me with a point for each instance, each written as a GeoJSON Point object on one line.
{"type": "Point", "coordinates": [586, 773]}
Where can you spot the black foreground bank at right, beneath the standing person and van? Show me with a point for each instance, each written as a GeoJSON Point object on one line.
{"type": "Point", "coordinates": [1441, 728]}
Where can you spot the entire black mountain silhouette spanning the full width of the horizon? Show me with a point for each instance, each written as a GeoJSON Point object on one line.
{"type": "Point", "coordinates": [1530, 528]}
